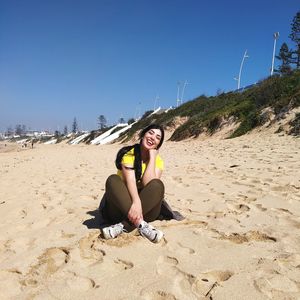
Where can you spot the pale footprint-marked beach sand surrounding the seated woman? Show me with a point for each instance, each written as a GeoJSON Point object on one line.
{"type": "Point", "coordinates": [240, 238]}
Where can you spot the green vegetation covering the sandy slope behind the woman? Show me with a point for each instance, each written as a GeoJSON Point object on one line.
{"type": "Point", "coordinates": [205, 114]}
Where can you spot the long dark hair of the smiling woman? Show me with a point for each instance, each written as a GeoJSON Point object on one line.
{"type": "Point", "coordinates": [137, 151]}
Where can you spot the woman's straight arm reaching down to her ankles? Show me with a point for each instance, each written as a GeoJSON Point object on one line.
{"type": "Point", "coordinates": [135, 214]}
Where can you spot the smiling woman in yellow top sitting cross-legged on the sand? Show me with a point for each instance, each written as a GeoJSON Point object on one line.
{"type": "Point", "coordinates": [136, 193]}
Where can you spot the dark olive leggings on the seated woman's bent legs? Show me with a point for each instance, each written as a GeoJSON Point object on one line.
{"type": "Point", "coordinates": [118, 200]}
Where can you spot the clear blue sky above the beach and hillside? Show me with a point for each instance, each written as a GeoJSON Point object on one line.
{"type": "Point", "coordinates": [61, 59]}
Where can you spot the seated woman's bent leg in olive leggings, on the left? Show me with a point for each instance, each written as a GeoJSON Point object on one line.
{"type": "Point", "coordinates": [118, 200]}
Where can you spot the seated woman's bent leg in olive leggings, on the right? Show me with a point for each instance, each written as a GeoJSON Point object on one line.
{"type": "Point", "coordinates": [151, 197]}
